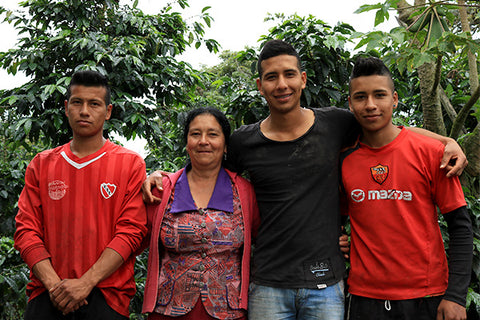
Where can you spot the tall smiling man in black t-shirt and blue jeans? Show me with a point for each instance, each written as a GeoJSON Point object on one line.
{"type": "Point", "coordinates": [292, 160]}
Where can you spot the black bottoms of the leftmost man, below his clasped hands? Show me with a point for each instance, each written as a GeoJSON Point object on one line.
{"type": "Point", "coordinates": [41, 308]}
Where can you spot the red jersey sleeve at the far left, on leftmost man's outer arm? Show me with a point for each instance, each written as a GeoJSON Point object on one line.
{"type": "Point", "coordinates": [29, 235]}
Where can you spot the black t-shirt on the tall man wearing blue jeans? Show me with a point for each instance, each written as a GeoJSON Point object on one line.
{"type": "Point", "coordinates": [296, 184]}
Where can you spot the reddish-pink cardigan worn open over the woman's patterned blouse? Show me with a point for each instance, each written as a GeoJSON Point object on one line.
{"type": "Point", "coordinates": [251, 220]}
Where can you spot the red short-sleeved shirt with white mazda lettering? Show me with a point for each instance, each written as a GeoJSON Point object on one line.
{"type": "Point", "coordinates": [392, 195]}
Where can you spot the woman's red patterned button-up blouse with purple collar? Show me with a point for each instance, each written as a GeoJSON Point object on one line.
{"type": "Point", "coordinates": [202, 249]}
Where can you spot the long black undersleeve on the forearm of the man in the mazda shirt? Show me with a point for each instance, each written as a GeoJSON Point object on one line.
{"type": "Point", "coordinates": [460, 255]}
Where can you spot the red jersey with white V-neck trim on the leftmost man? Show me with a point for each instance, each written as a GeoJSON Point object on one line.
{"type": "Point", "coordinates": [72, 208]}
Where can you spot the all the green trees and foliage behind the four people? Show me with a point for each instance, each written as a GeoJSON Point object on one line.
{"type": "Point", "coordinates": [433, 55]}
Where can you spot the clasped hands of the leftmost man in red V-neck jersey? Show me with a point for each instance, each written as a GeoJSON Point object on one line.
{"type": "Point", "coordinates": [69, 294]}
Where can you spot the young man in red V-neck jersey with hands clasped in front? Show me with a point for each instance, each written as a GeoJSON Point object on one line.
{"type": "Point", "coordinates": [81, 215]}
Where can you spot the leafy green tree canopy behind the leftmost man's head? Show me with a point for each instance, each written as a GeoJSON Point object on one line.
{"type": "Point", "coordinates": [136, 51]}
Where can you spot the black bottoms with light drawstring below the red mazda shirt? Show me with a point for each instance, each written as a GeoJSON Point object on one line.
{"type": "Point", "coordinates": [361, 308]}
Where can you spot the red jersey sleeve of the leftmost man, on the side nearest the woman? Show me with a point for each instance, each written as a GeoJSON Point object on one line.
{"type": "Point", "coordinates": [130, 228]}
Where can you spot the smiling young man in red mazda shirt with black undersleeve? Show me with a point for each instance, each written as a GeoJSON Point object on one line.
{"type": "Point", "coordinates": [393, 186]}
